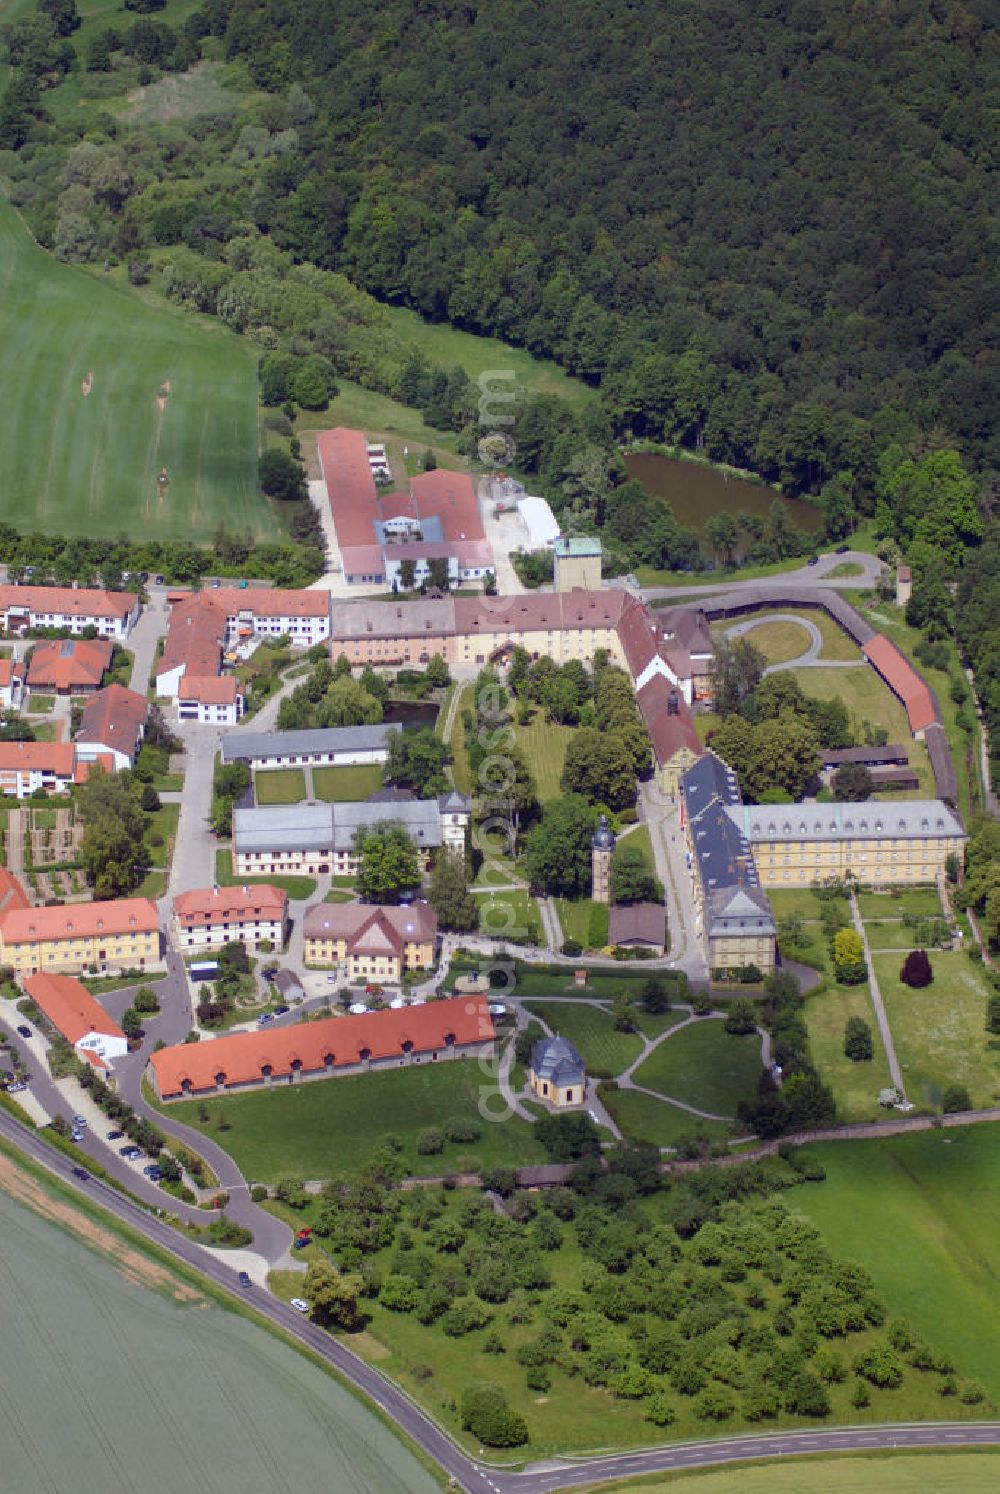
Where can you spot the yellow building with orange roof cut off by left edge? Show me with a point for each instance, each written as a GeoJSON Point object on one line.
{"type": "Point", "coordinates": [84, 936]}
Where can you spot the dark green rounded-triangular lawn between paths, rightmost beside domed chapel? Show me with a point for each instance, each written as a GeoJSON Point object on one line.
{"type": "Point", "coordinates": [705, 1066]}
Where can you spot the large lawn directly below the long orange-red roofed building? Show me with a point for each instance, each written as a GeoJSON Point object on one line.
{"type": "Point", "coordinates": [331, 1126]}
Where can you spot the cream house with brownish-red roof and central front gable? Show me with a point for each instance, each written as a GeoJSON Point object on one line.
{"type": "Point", "coordinates": [374, 943]}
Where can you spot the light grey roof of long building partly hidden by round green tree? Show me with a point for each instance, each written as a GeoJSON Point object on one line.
{"type": "Point", "coordinates": [331, 827]}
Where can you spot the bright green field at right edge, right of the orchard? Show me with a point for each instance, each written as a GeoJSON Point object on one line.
{"type": "Point", "coordinates": [923, 1214]}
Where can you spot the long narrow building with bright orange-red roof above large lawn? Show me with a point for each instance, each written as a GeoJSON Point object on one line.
{"type": "Point", "coordinates": [354, 1045]}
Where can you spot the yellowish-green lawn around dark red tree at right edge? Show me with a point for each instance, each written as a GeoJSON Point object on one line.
{"type": "Point", "coordinates": [939, 1033]}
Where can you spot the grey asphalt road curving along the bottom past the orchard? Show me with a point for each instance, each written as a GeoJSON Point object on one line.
{"type": "Point", "coordinates": [467, 1472]}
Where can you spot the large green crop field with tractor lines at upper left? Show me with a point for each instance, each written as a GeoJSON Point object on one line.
{"type": "Point", "coordinates": [89, 464]}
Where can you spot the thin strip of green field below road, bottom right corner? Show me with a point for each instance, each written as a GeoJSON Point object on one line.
{"type": "Point", "coordinates": [959, 1472]}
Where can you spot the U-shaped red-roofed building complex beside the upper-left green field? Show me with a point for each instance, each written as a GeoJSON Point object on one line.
{"type": "Point", "coordinates": [439, 519]}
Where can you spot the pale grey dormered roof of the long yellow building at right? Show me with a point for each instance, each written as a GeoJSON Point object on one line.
{"type": "Point", "coordinates": [904, 819]}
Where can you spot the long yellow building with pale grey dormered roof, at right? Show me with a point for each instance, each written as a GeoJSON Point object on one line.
{"type": "Point", "coordinates": [875, 842]}
